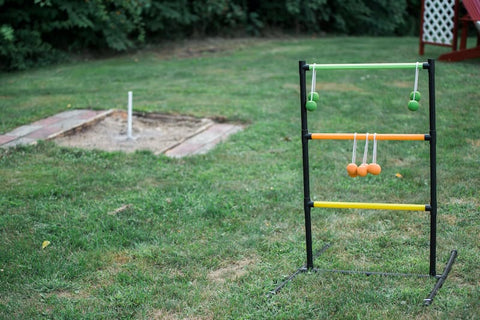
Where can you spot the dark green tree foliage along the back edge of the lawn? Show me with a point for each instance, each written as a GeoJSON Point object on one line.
{"type": "Point", "coordinates": [36, 32]}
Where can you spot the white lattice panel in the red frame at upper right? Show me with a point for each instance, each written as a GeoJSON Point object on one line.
{"type": "Point", "coordinates": [438, 21]}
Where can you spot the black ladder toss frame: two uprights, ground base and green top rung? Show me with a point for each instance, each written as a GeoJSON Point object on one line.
{"type": "Point", "coordinates": [432, 207]}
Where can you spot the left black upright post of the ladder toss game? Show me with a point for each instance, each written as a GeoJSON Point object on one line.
{"type": "Point", "coordinates": [306, 175]}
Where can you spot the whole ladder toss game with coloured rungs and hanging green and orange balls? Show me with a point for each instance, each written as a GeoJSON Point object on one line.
{"type": "Point", "coordinates": [308, 103]}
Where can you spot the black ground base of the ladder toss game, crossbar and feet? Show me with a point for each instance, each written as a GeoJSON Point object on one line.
{"type": "Point", "coordinates": [427, 301]}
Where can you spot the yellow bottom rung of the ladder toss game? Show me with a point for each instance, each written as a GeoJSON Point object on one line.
{"type": "Point", "coordinates": [373, 206]}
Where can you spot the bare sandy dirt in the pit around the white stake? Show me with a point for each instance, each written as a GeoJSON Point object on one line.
{"type": "Point", "coordinates": [155, 132]}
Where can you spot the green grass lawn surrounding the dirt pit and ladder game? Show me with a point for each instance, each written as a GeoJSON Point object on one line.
{"type": "Point", "coordinates": [206, 237]}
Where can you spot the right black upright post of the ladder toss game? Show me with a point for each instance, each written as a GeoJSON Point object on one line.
{"type": "Point", "coordinates": [433, 167]}
